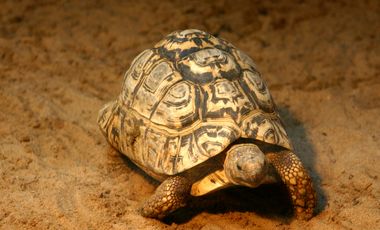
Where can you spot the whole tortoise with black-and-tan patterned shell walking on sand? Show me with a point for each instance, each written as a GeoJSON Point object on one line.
{"type": "Point", "coordinates": [195, 114]}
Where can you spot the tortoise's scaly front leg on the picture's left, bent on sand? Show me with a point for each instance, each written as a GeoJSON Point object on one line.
{"type": "Point", "coordinates": [172, 194]}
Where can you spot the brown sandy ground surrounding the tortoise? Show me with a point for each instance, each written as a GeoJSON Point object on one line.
{"type": "Point", "coordinates": [61, 61]}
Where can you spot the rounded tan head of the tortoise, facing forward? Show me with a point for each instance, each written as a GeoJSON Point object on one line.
{"type": "Point", "coordinates": [246, 165]}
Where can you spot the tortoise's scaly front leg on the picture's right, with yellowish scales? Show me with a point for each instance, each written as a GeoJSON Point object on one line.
{"type": "Point", "coordinates": [297, 180]}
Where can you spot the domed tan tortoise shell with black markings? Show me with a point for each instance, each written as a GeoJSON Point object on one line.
{"type": "Point", "coordinates": [186, 100]}
